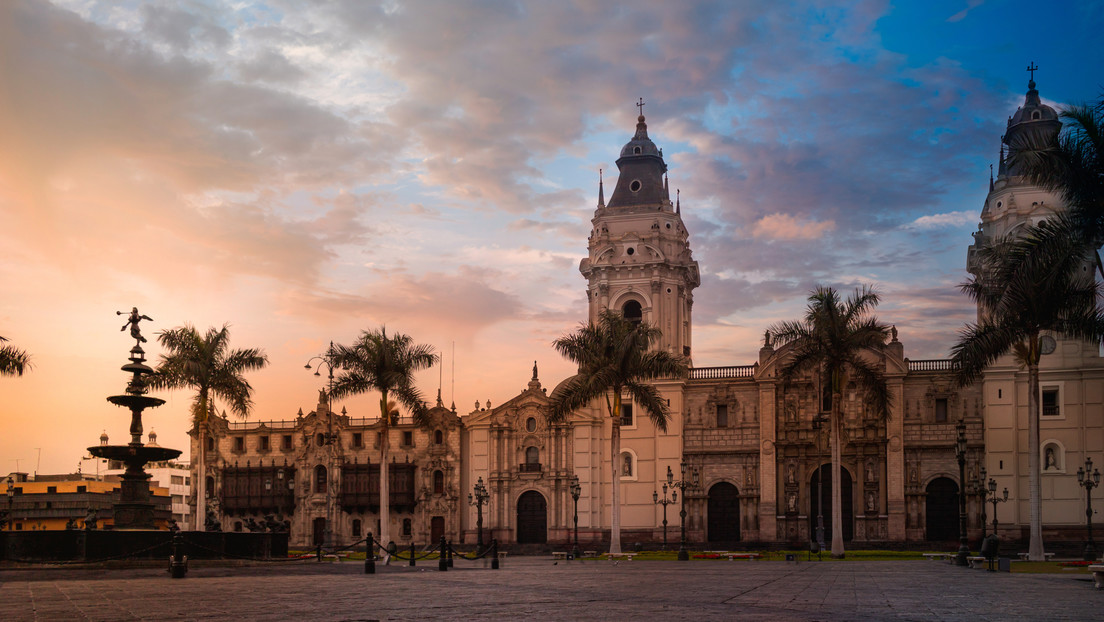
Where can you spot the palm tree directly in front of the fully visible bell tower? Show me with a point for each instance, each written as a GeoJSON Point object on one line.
{"type": "Point", "coordinates": [614, 357]}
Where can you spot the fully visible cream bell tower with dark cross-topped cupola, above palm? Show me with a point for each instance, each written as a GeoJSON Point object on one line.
{"type": "Point", "coordinates": [640, 261]}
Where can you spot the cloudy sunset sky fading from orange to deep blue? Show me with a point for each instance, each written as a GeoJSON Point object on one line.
{"type": "Point", "coordinates": [307, 171]}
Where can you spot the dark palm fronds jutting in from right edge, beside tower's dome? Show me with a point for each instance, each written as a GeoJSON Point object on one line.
{"type": "Point", "coordinates": [1073, 166]}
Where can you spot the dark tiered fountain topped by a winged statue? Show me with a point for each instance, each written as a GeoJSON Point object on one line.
{"type": "Point", "coordinates": [135, 510]}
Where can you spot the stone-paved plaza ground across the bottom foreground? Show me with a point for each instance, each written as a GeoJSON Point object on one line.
{"type": "Point", "coordinates": [537, 588]}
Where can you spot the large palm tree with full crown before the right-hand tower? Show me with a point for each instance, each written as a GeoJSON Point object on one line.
{"type": "Point", "coordinates": [1025, 287]}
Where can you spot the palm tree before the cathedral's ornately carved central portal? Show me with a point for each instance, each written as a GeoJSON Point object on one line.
{"type": "Point", "coordinates": [830, 342]}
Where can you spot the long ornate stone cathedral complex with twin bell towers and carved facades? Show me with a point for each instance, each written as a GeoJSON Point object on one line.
{"type": "Point", "coordinates": [752, 451]}
